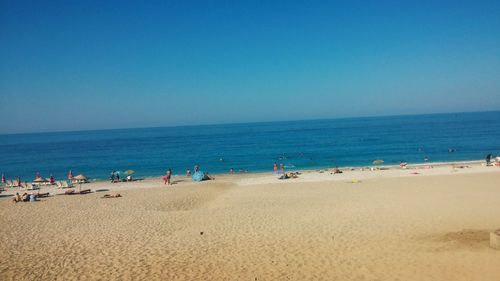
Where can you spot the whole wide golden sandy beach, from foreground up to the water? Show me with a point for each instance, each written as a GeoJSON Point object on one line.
{"type": "Point", "coordinates": [395, 224]}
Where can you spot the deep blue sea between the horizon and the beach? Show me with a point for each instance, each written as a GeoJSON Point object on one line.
{"type": "Point", "coordinates": [253, 147]}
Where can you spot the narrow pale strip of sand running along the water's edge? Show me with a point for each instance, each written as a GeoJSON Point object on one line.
{"type": "Point", "coordinates": [349, 174]}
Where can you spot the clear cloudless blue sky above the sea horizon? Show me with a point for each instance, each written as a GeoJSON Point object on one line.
{"type": "Point", "coordinates": [73, 65]}
